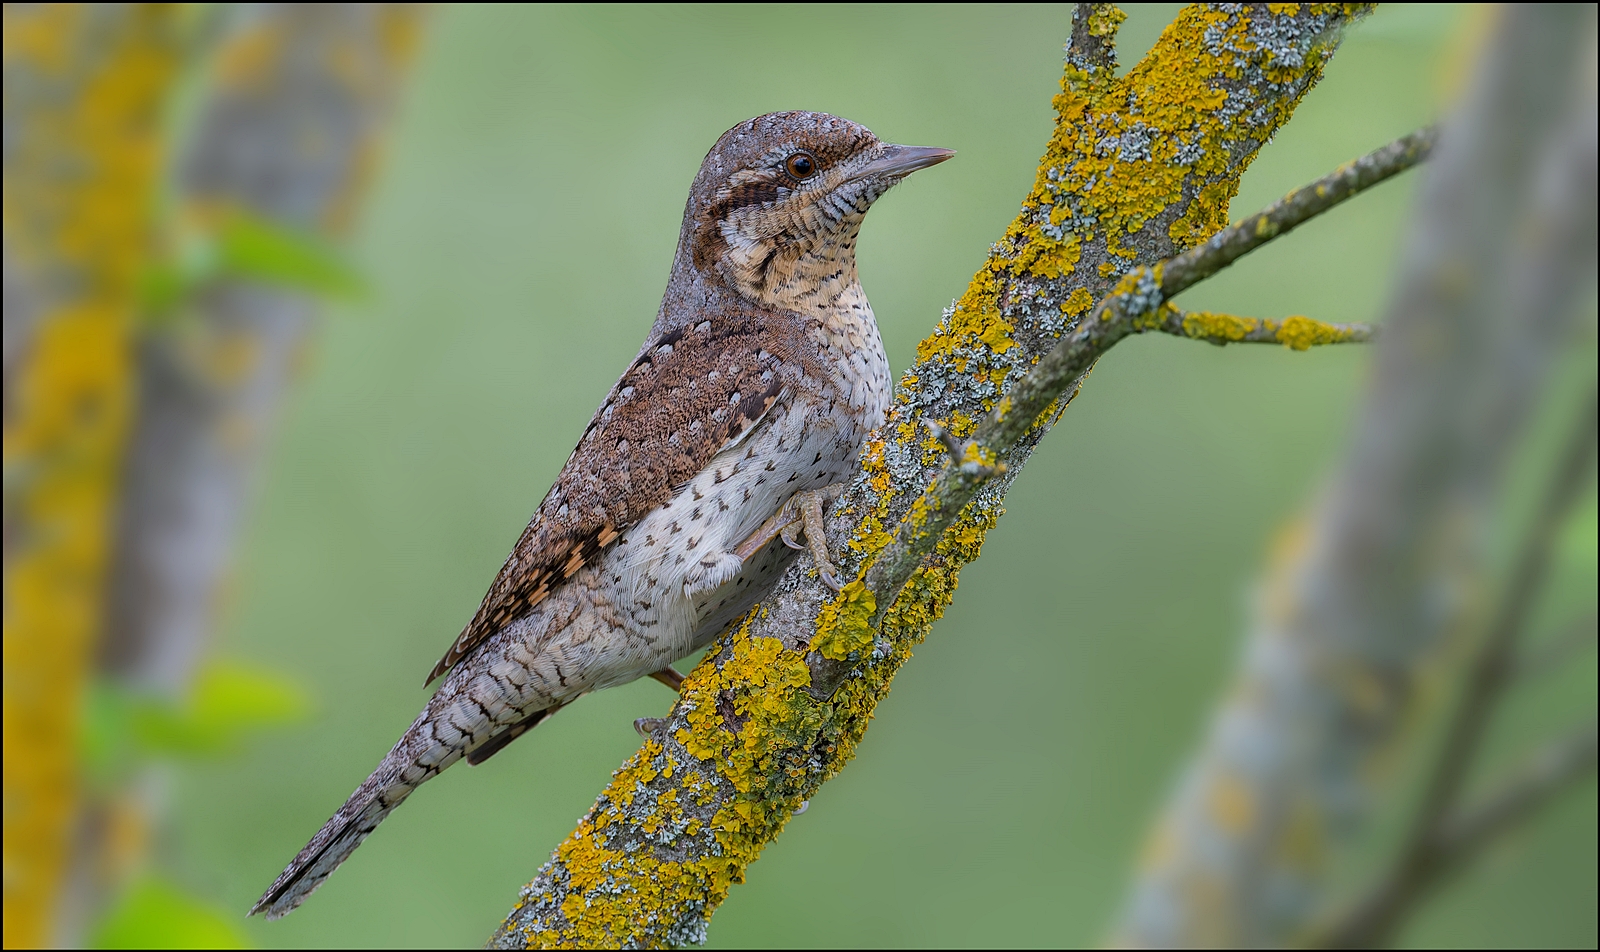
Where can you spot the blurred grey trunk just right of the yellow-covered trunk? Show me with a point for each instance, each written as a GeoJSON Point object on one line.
{"type": "Point", "coordinates": [284, 143]}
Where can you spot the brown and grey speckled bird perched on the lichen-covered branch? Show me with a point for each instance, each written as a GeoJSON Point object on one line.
{"type": "Point", "coordinates": [689, 492]}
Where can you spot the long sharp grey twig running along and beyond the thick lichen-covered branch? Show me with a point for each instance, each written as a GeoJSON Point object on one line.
{"type": "Point", "coordinates": [1143, 292]}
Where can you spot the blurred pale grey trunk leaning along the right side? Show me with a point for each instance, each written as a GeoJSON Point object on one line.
{"type": "Point", "coordinates": [1367, 590]}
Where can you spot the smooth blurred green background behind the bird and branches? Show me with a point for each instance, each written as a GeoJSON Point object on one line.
{"type": "Point", "coordinates": [518, 242]}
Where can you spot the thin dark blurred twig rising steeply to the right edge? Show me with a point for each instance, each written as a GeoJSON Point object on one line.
{"type": "Point", "coordinates": [1428, 850]}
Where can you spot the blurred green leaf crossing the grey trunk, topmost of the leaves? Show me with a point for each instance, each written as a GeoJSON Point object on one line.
{"type": "Point", "coordinates": [254, 247]}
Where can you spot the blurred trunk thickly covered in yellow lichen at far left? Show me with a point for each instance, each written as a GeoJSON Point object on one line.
{"type": "Point", "coordinates": [84, 95]}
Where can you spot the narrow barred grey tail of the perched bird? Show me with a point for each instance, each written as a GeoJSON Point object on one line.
{"type": "Point", "coordinates": [401, 772]}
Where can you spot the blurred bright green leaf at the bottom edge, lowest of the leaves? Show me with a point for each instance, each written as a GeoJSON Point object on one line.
{"type": "Point", "coordinates": [156, 914]}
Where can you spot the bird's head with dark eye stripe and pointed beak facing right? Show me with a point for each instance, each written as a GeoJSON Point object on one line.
{"type": "Point", "coordinates": [778, 202]}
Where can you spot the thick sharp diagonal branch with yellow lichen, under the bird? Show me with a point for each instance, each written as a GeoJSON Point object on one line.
{"type": "Point", "coordinates": [1137, 172]}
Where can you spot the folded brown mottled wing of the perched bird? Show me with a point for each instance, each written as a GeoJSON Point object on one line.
{"type": "Point", "coordinates": [687, 396]}
